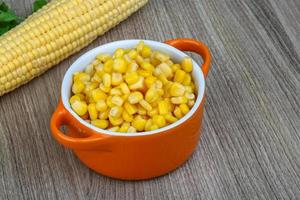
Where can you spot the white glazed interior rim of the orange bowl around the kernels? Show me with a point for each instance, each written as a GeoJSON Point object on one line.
{"type": "Point", "coordinates": [88, 57]}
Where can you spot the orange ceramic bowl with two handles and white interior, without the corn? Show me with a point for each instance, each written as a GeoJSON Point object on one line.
{"type": "Point", "coordinates": [133, 156]}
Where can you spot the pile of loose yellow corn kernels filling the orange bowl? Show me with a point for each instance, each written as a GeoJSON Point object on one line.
{"type": "Point", "coordinates": [133, 90]}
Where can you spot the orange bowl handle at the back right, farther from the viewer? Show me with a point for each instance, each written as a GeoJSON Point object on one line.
{"type": "Point", "coordinates": [186, 44]}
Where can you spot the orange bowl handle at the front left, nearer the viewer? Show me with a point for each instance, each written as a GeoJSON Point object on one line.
{"type": "Point", "coordinates": [93, 141]}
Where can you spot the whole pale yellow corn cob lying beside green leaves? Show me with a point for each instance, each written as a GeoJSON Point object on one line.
{"type": "Point", "coordinates": [56, 31]}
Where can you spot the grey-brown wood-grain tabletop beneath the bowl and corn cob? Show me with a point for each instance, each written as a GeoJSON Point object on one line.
{"type": "Point", "coordinates": [250, 146]}
